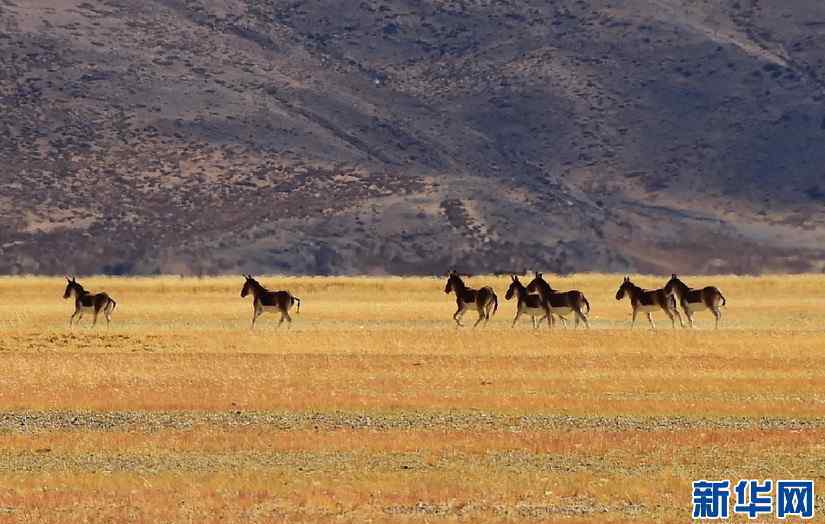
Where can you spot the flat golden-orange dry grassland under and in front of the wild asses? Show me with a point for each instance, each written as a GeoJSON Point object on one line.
{"type": "Point", "coordinates": [375, 406]}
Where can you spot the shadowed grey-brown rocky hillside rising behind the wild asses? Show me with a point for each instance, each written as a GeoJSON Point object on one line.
{"type": "Point", "coordinates": [408, 136]}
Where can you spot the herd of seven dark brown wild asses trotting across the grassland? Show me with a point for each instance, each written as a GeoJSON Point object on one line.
{"type": "Point", "coordinates": [538, 300]}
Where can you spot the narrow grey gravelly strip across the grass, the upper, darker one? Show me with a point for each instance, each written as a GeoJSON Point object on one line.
{"type": "Point", "coordinates": [32, 422]}
